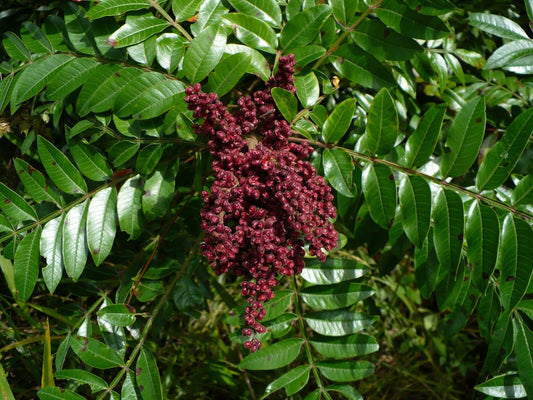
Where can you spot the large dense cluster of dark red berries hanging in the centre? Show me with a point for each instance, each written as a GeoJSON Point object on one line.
{"type": "Point", "coordinates": [266, 202]}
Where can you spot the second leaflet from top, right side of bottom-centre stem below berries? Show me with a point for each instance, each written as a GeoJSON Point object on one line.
{"type": "Point", "coordinates": [332, 297]}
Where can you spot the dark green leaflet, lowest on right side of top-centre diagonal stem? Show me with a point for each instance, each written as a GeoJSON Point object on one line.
{"type": "Point", "coordinates": [362, 68]}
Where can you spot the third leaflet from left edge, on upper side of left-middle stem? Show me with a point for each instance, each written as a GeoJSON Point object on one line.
{"type": "Point", "coordinates": [60, 169]}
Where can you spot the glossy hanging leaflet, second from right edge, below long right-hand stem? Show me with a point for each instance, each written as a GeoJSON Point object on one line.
{"type": "Point", "coordinates": [482, 235]}
